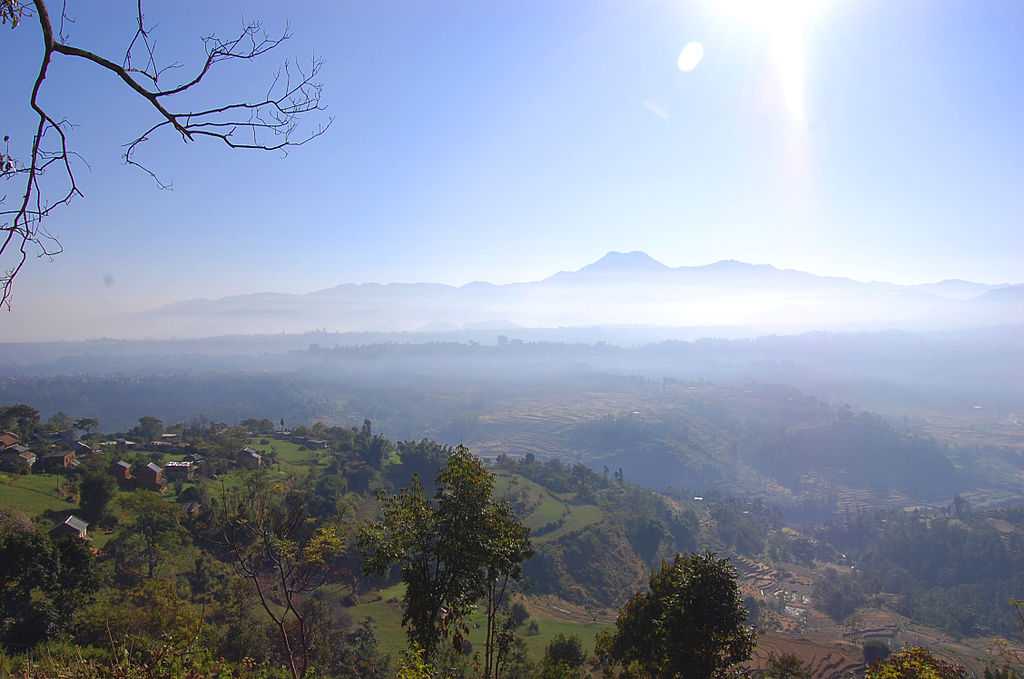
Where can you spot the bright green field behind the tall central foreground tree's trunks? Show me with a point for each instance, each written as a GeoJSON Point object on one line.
{"type": "Point", "coordinates": [387, 613]}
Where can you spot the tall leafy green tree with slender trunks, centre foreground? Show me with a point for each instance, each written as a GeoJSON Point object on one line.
{"type": "Point", "coordinates": [453, 550]}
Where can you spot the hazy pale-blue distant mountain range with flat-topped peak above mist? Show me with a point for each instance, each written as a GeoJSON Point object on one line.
{"type": "Point", "coordinates": [620, 289]}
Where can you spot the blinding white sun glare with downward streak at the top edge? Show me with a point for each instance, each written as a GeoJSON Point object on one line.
{"type": "Point", "coordinates": [786, 23]}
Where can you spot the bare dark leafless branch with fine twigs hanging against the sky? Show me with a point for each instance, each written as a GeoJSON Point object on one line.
{"type": "Point", "coordinates": [267, 123]}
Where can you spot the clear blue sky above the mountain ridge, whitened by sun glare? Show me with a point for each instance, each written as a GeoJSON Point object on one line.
{"type": "Point", "coordinates": [505, 142]}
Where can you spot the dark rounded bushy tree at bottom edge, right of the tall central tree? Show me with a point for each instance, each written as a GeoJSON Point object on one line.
{"type": "Point", "coordinates": [691, 624]}
